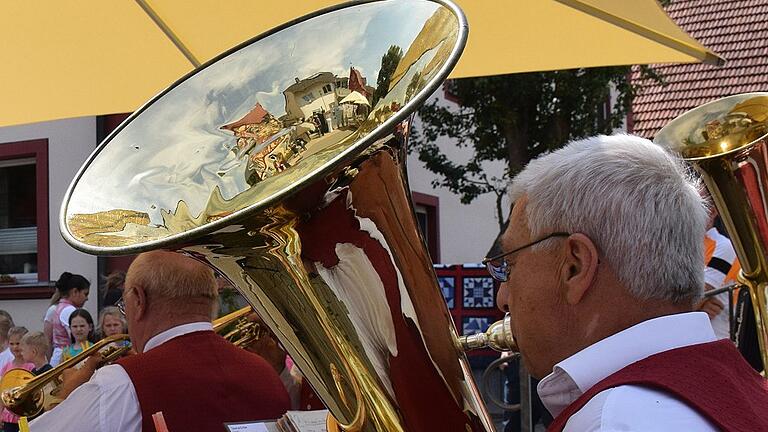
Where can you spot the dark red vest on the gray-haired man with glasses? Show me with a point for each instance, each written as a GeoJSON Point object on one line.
{"type": "Point", "coordinates": [712, 378]}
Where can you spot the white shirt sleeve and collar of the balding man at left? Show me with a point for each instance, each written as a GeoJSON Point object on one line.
{"type": "Point", "coordinates": [108, 401]}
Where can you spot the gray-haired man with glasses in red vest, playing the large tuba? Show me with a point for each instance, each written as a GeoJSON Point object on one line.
{"type": "Point", "coordinates": [602, 266]}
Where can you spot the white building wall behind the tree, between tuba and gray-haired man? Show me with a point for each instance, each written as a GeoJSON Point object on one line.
{"type": "Point", "coordinates": [467, 231]}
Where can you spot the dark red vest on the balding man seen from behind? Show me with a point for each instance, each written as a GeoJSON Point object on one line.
{"type": "Point", "coordinates": [200, 381]}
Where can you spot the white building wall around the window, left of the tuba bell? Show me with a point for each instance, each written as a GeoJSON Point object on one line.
{"type": "Point", "coordinates": [69, 144]}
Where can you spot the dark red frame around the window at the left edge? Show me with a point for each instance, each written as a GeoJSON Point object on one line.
{"type": "Point", "coordinates": [37, 149]}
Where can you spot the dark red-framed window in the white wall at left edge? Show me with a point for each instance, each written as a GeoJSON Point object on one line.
{"type": "Point", "coordinates": [23, 215]}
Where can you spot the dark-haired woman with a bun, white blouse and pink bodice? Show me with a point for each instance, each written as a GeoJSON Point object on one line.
{"type": "Point", "coordinates": [73, 289]}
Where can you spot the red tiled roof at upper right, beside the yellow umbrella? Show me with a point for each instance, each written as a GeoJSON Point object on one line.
{"type": "Point", "coordinates": [735, 29]}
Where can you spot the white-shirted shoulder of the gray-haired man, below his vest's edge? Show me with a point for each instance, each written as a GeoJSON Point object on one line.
{"type": "Point", "coordinates": [636, 408]}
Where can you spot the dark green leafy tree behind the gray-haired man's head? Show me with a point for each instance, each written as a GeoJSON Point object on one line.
{"type": "Point", "coordinates": [514, 118]}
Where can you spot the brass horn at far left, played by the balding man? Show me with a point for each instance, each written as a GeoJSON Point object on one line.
{"type": "Point", "coordinates": [27, 395]}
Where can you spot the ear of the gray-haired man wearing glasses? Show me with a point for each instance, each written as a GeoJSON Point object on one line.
{"type": "Point", "coordinates": [580, 267]}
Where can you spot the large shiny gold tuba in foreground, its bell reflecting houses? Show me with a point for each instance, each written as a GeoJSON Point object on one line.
{"type": "Point", "coordinates": [282, 166]}
